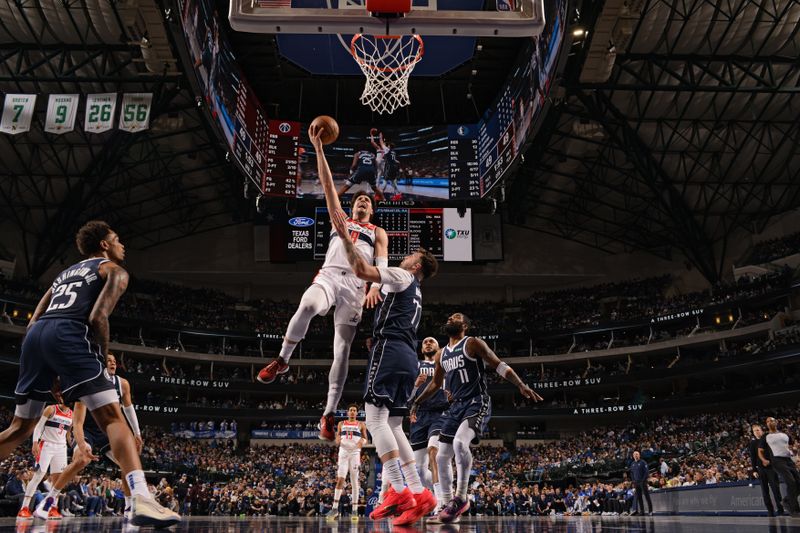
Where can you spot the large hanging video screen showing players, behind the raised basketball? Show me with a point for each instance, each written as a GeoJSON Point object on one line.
{"type": "Point", "coordinates": [396, 164]}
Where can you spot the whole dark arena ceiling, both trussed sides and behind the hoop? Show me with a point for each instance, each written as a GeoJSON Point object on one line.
{"type": "Point", "coordinates": [689, 134]}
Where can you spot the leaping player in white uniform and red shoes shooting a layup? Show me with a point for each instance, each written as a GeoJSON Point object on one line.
{"type": "Point", "coordinates": [336, 286]}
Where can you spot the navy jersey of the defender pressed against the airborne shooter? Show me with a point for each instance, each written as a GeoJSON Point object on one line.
{"type": "Point", "coordinates": [398, 315]}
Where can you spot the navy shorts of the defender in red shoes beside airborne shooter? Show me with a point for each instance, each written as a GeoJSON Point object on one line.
{"type": "Point", "coordinates": [391, 372]}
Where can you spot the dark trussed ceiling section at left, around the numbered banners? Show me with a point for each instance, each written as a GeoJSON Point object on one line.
{"type": "Point", "coordinates": [154, 186]}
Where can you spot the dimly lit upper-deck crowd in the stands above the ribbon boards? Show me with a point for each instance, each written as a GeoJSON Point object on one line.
{"type": "Point", "coordinates": [177, 306]}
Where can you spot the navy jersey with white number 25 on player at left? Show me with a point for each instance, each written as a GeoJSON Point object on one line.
{"type": "Point", "coordinates": [75, 291]}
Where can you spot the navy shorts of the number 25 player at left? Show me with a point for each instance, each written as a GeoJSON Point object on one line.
{"type": "Point", "coordinates": [59, 347]}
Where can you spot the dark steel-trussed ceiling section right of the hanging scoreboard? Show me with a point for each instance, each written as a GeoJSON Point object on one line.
{"type": "Point", "coordinates": [692, 140]}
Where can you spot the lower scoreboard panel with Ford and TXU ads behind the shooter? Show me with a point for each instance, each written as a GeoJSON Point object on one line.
{"type": "Point", "coordinates": [442, 231]}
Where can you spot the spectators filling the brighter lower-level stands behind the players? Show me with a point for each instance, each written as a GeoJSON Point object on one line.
{"type": "Point", "coordinates": [583, 473]}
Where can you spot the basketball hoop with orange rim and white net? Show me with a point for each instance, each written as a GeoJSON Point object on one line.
{"type": "Point", "coordinates": [387, 62]}
